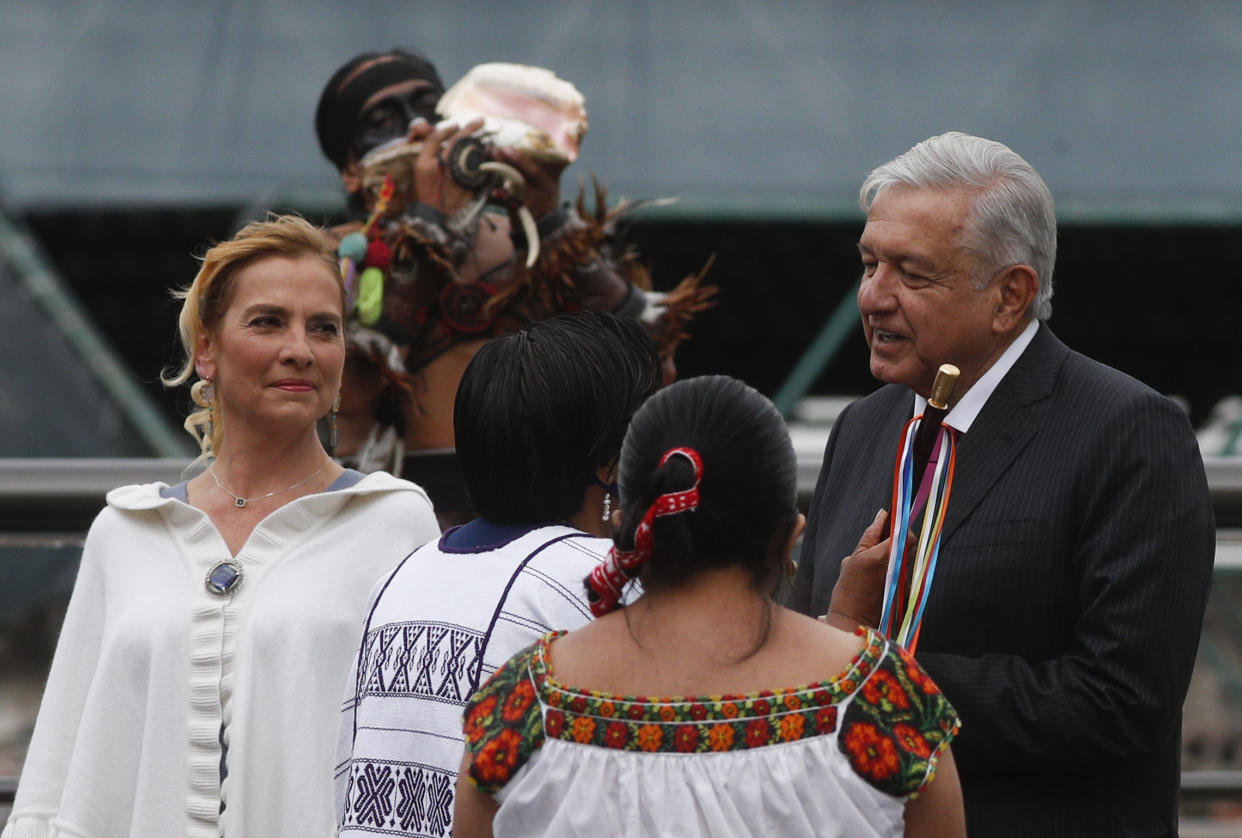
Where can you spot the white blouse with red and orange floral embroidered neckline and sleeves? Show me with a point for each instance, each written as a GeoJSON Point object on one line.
{"type": "Point", "coordinates": [838, 758]}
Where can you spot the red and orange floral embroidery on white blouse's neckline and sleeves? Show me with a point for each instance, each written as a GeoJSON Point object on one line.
{"type": "Point", "coordinates": [521, 706]}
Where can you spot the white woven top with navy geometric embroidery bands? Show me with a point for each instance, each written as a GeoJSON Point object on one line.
{"type": "Point", "coordinates": [443, 624]}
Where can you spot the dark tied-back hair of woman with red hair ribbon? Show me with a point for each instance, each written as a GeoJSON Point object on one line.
{"type": "Point", "coordinates": [748, 493]}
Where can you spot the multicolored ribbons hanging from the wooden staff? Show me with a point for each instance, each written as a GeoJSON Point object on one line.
{"type": "Point", "coordinates": [911, 570]}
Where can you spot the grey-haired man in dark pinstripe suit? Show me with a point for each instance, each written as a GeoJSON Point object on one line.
{"type": "Point", "coordinates": [1077, 552]}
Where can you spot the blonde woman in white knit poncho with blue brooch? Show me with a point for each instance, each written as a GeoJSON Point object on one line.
{"type": "Point", "coordinates": [197, 683]}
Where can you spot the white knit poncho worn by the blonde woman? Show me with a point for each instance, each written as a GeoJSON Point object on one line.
{"type": "Point", "coordinates": [152, 671]}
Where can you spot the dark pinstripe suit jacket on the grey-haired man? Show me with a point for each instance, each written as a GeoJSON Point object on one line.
{"type": "Point", "coordinates": [1066, 610]}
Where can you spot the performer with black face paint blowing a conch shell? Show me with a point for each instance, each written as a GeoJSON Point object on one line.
{"type": "Point", "coordinates": [464, 238]}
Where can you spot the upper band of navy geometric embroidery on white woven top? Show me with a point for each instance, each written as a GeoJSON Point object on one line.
{"type": "Point", "coordinates": [420, 660]}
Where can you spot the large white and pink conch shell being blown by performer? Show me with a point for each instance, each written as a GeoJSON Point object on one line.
{"type": "Point", "coordinates": [526, 109]}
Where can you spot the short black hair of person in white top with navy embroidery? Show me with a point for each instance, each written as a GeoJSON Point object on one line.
{"type": "Point", "coordinates": [541, 410]}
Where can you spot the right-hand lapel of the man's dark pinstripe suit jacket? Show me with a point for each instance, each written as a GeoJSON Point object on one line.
{"type": "Point", "coordinates": [1004, 428]}
